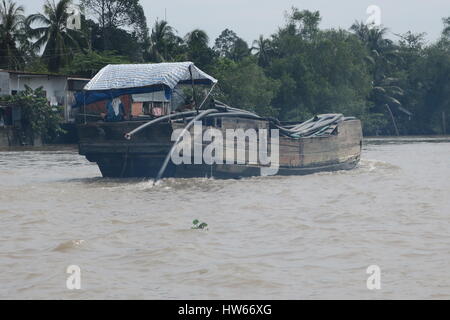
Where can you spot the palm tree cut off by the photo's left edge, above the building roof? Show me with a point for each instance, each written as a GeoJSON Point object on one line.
{"type": "Point", "coordinates": [11, 33]}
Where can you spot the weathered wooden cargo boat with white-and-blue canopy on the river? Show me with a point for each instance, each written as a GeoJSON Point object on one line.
{"type": "Point", "coordinates": [142, 146]}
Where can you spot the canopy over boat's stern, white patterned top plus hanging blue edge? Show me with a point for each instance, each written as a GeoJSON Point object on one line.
{"type": "Point", "coordinates": [115, 80]}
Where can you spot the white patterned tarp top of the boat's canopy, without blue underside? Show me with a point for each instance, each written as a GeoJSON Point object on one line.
{"type": "Point", "coordinates": [123, 76]}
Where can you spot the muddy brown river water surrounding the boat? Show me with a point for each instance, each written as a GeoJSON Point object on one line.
{"type": "Point", "coordinates": [304, 237]}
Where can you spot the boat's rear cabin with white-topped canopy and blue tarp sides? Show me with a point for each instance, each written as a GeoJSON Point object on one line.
{"type": "Point", "coordinates": [159, 90]}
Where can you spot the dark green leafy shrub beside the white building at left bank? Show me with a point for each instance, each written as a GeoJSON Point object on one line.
{"type": "Point", "coordinates": [37, 114]}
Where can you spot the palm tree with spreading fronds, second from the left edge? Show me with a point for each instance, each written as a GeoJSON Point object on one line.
{"type": "Point", "coordinates": [59, 41]}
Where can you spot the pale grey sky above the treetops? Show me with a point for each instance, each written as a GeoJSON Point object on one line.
{"type": "Point", "coordinates": [251, 18]}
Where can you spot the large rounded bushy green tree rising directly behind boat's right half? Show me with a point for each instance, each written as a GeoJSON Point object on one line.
{"type": "Point", "coordinates": [319, 71]}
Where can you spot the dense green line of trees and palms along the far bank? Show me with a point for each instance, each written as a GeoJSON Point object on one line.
{"type": "Point", "coordinates": [397, 86]}
